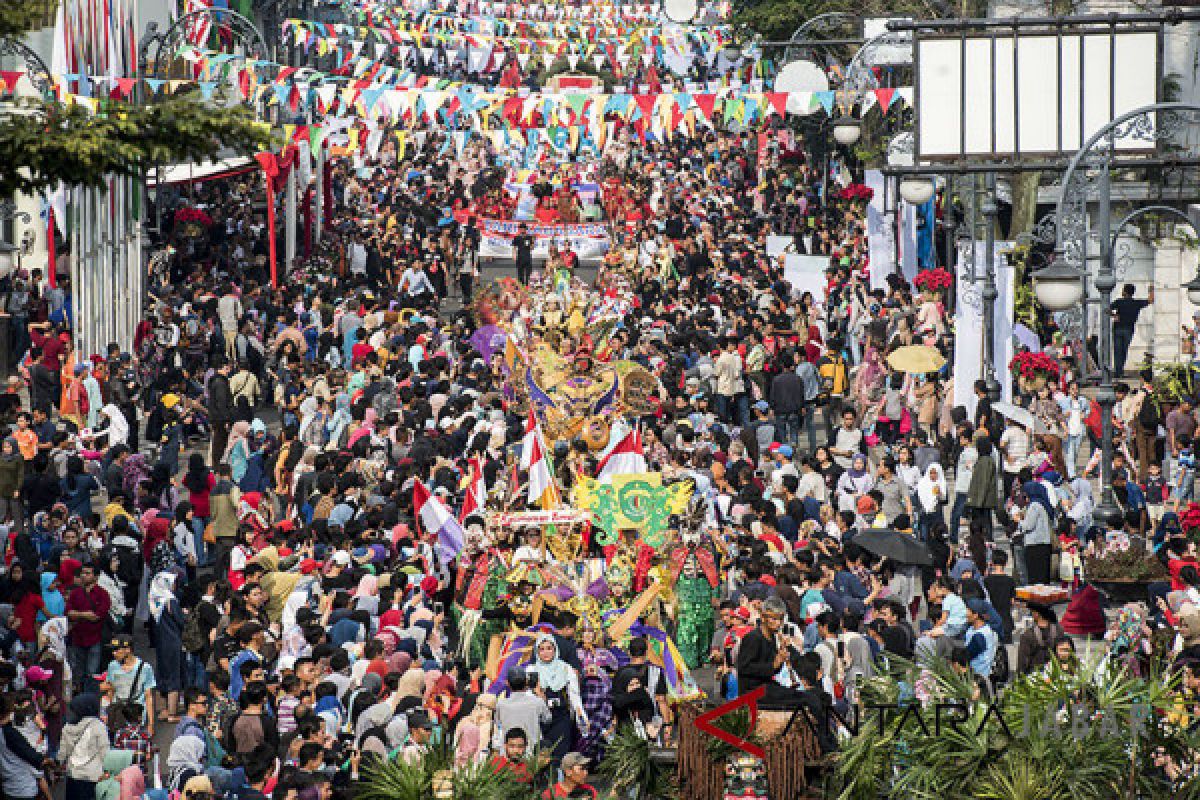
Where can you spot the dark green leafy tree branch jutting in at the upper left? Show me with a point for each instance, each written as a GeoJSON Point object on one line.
{"type": "Point", "coordinates": [56, 143]}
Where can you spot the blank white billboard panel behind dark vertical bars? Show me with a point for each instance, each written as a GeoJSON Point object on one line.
{"type": "Point", "coordinates": [1034, 95]}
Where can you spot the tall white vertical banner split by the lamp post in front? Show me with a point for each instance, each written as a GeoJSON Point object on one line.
{"type": "Point", "coordinates": [970, 317]}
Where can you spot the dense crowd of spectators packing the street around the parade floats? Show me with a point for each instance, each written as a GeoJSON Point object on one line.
{"type": "Point", "coordinates": [238, 491]}
